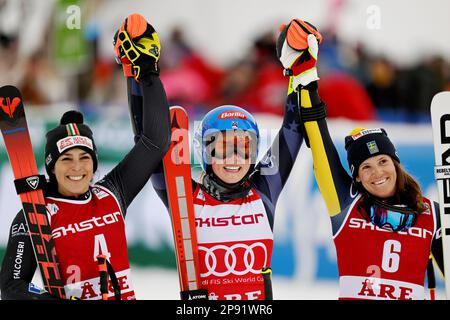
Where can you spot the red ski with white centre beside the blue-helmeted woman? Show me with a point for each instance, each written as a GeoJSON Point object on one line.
{"type": "Point", "coordinates": [177, 170]}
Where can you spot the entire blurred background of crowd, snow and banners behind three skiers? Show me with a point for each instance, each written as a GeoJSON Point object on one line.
{"type": "Point", "coordinates": [380, 65]}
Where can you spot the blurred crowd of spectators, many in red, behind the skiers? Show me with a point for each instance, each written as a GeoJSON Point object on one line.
{"type": "Point", "coordinates": [355, 83]}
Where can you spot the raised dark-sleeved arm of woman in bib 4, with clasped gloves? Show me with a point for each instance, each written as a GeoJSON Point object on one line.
{"type": "Point", "coordinates": [148, 106]}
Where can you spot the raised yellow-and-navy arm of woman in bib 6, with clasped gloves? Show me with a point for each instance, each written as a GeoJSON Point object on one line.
{"type": "Point", "coordinates": [298, 51]}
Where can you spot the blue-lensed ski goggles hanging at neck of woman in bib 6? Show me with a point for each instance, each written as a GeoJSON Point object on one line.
{"type": "Point", "coordinates": [393, 217]}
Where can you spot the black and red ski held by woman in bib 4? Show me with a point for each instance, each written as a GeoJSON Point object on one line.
{"type": "Point", "coordinates": [29, 183]}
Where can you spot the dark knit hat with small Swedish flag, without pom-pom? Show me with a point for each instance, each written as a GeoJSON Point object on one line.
{"type": "Point", "coordinates": [362, 144]}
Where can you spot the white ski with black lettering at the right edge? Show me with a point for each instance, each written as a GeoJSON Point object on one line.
{"type": "Point", "coordinates": [440, 120]}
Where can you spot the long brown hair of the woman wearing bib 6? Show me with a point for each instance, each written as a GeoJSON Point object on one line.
{"type": "Point", "coordinates": [407, 192]}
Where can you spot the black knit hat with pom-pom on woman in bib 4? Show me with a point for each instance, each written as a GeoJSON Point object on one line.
{"type": "Point", "coordinates": [71, 133]}
